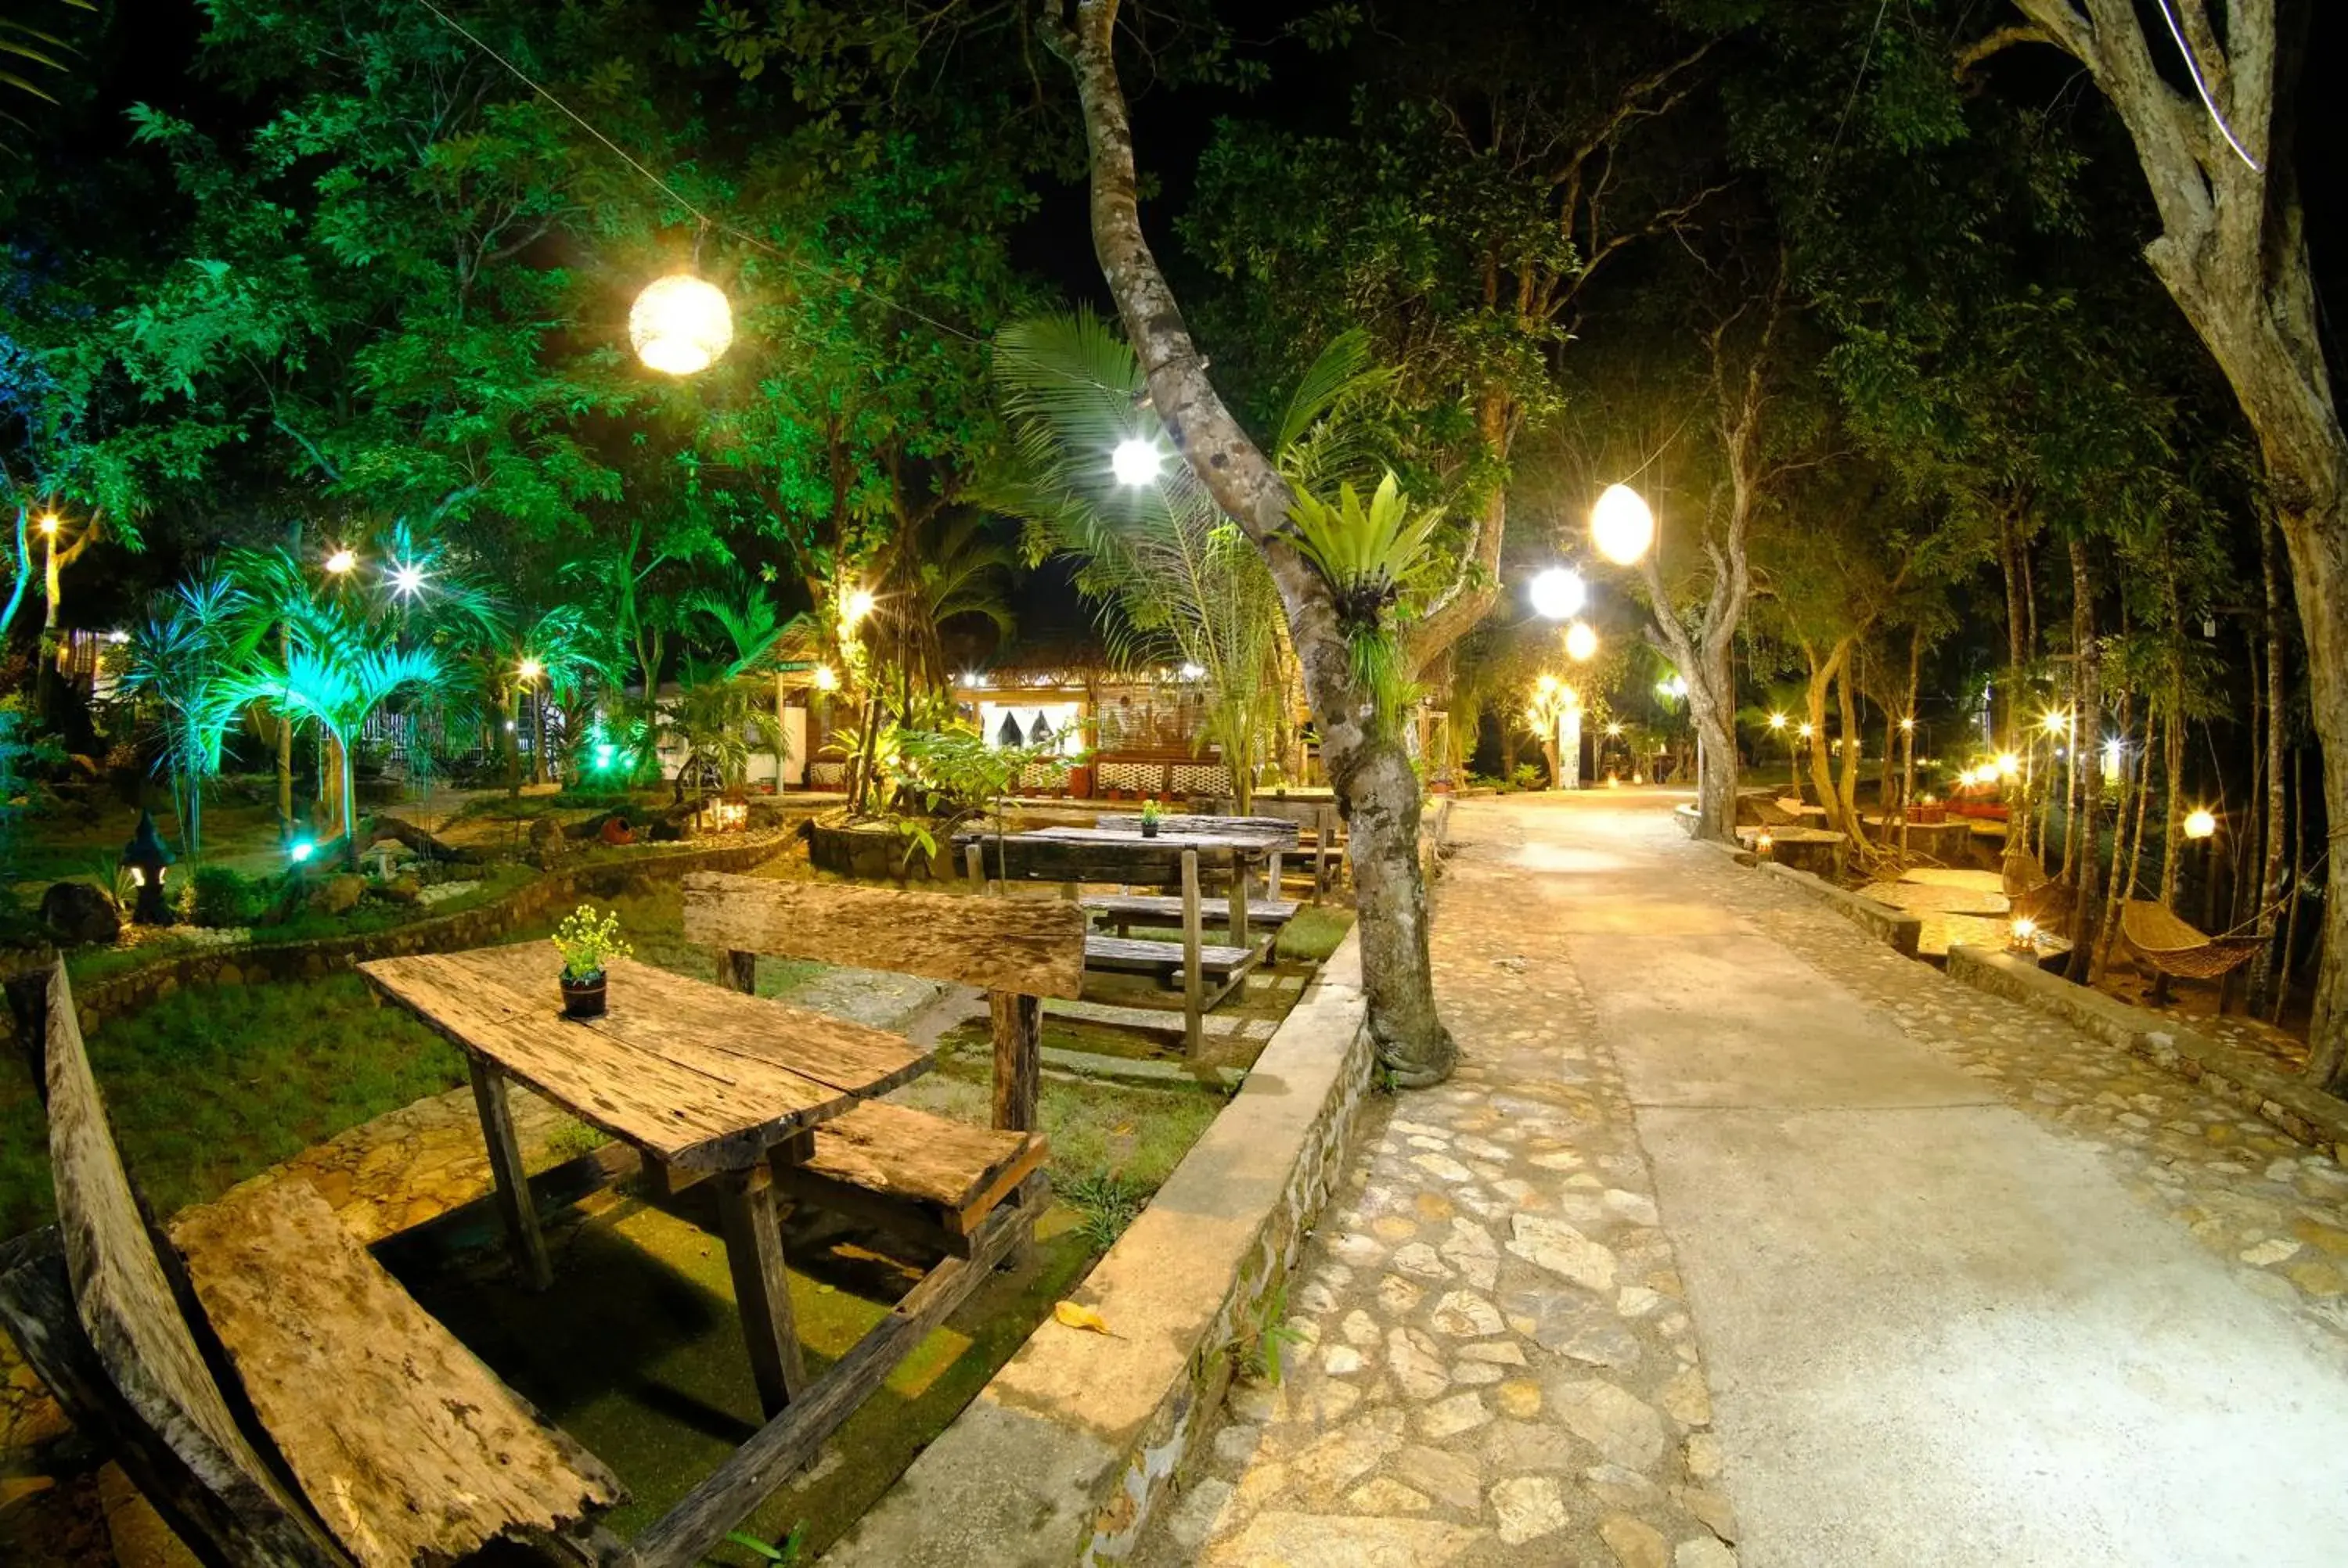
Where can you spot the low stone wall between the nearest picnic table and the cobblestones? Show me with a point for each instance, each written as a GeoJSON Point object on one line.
{"type": "Point", "coordinates": [1077, 1440]}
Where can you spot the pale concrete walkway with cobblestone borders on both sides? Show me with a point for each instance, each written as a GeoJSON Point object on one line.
{"type": "Point", "coordinates": [1809, 1257]}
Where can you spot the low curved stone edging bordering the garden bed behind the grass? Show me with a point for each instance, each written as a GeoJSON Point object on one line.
{"type": "Point", "coordinates": [468, 928]}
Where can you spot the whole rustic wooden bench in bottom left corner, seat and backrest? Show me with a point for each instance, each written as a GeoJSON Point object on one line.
{"type": "Point", "coordinates": [281, 1398]}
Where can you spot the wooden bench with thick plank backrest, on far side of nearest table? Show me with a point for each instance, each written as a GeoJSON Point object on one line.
{"type": "Point", "coordinates": [905, 1170]}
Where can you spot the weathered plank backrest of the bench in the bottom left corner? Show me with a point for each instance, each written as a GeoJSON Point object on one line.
{"type": "Point", "coordinates": [173, 1410]}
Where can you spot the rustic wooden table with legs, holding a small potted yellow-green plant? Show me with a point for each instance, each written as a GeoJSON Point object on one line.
{"type": "Point", "coordinates": [694, 1076]}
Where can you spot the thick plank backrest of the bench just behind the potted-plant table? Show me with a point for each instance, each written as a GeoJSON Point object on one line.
{"type": "Point", "coordinates": [1027, 947]}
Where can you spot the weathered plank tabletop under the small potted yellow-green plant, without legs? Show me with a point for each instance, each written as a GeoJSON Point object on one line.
{"type": "Point", "coordinates": [694, 1074]}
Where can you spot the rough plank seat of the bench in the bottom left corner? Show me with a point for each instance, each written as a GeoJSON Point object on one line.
{"type": "Point", "coordinates": [410, 1447]}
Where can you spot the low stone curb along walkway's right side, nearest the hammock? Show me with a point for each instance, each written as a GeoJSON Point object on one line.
{"type": "Point", "coordinates": [2234, 1076]}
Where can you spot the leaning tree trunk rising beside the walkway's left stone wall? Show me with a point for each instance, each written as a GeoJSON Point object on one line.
{"type": "Point", "coordinates": [1365, 757]}
